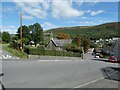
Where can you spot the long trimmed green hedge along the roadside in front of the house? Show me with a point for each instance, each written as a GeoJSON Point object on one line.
{"type": "Point", "coordinates": [42, 51]}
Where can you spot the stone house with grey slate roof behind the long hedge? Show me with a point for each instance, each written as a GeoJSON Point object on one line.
{"type": "Point", "coordinates": [57, 44]}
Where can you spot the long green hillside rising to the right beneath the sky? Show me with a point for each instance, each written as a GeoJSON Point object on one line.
{"type": "Point", "coordinates": [107, 30]}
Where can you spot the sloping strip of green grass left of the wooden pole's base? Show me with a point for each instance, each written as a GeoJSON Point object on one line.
{"type": "Point", "coordinates": [15, 52]}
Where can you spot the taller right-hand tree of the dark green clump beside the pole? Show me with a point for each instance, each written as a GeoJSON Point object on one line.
{"type": "Point", "coordinates": [37, 33]}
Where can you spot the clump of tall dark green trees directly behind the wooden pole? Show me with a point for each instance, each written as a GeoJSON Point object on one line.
{"type": "Point", "coordinates": [31, 33]}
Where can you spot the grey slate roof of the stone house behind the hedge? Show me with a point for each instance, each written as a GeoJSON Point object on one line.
{"type": "Point", "coordinates": [62, 42]}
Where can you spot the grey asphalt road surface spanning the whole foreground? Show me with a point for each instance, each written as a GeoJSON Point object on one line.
{"type": "Point", "coordinates": [70, 73]}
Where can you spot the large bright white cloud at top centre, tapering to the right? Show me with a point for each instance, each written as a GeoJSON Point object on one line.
{"type": "Point", "coordinates": [64, 9]}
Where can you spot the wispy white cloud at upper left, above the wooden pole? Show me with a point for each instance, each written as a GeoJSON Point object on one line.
{"type": "Point", "coordinates": [34, 8]}
